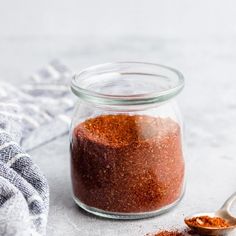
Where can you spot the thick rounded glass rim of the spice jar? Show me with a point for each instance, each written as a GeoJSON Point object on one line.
{"type": "Point", "coordinates": [133, 99]}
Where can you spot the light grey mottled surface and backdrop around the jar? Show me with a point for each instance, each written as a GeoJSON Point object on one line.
{"type": "Point", "coordinates": [195, 36]}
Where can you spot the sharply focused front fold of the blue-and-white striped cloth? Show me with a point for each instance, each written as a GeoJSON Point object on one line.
{"type": "Point", "coordinates": [24, 192]}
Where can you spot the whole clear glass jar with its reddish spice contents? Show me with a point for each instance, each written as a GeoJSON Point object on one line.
{"type": "Point", "coordinates": [126, 140]}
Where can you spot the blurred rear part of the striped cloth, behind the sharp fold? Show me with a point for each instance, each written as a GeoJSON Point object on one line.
{"type": "Point", "coordinates": [44, 101]}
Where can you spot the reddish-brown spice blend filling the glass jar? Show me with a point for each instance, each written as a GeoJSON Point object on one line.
{"type": "Point", "coordinates": [124, 163]}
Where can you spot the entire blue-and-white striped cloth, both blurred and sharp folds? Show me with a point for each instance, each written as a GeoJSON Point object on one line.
{"type": "Point", "coordinates": [43, 102]}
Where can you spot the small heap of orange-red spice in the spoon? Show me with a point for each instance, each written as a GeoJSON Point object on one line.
{"type": "Point", "coordinates": [206, 221]}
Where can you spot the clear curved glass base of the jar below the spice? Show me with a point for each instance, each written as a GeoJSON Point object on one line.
{"type": "Point", "coordinates": [126, 216]}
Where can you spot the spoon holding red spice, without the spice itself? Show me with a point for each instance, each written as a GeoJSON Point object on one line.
{"type": "Point", "coordinates": [223, 212]}
